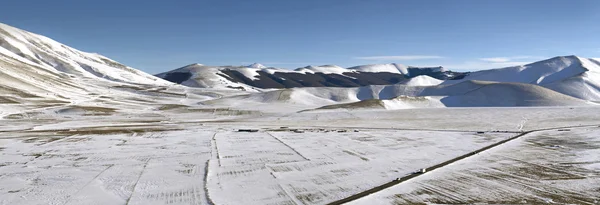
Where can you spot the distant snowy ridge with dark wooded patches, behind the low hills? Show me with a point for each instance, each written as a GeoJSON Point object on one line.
{"type": "Point", "coordinates": [257, 76]}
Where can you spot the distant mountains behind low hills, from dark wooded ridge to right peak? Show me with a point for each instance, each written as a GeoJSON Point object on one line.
{"type": "Point", "coordinates": [570, 75]}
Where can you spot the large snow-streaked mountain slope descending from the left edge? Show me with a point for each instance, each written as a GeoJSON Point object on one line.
{"type": "Point", "coordinates": [37, 73]}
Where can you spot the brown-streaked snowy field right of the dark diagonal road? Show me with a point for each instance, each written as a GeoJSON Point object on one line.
{"type": "Point", "coordinates": [549, 167]}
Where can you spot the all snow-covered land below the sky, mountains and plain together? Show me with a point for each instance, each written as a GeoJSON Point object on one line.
{"type": "Point", "coordinates": [80, 128]}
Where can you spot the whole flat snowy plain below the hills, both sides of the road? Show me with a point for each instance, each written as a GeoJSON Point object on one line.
{"type": "Point", "coordinates": [199, 157]}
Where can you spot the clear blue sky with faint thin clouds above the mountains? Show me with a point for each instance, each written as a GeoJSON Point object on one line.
{"type": "Point", "coordinates": [157, 36]}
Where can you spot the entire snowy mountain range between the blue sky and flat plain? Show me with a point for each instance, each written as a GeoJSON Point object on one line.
{"type": "Point", "coordinates": [37, 72]}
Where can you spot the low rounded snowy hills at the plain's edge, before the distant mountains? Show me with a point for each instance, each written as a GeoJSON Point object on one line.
{"type": "Point", "coordinates": [464, 94]}
